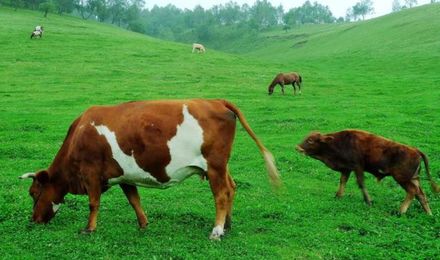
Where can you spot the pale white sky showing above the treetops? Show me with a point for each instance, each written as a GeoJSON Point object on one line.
{"type": "Point", "coordinates": [338, 7]}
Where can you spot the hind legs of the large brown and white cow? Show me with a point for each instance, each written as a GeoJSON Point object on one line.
{"type": "Point", "coordinates": [223, 192]}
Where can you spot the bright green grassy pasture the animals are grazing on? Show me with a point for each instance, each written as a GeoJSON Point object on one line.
{"type": "Point", "coordinates": [380, 75]}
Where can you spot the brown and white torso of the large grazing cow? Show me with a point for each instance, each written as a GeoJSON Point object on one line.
{"type": "Point", "coordinates": [158, 138]}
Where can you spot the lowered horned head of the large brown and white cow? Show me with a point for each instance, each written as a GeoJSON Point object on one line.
{"type": "Point", "coordinates": [46, 195]}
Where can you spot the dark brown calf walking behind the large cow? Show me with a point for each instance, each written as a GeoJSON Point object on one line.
{"type": "Point", "coordinates": [359, 151]}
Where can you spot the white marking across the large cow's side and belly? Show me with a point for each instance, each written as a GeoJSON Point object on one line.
{"type": "Point", "coordinates": [185, 153]}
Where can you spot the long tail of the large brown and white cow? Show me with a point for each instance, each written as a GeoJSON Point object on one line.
{"type": "Point", "coordinates": [268, 157]}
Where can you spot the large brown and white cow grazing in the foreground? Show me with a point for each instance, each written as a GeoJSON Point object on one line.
{"type": "Point", "coordinates": [152, 144]}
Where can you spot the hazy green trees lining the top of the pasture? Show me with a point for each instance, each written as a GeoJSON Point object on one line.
{"type": "Point", "coordinates": [207, 25]}
